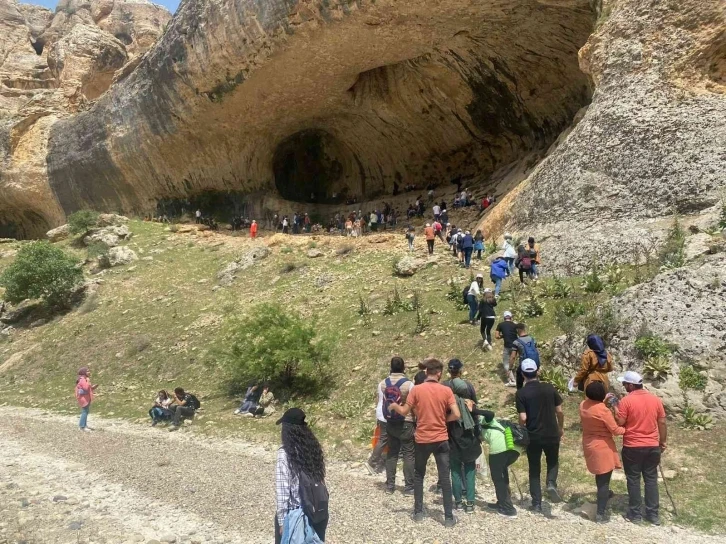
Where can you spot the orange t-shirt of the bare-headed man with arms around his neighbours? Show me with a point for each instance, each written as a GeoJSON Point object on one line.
{"type": "Point", "coordinates": [431, 402]}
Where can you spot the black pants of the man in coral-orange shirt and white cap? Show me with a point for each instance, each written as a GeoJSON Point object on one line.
{"type": "Point", "coordinates": [637, 462]}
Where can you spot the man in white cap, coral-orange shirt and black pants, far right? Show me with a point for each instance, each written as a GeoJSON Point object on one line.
{"type": "Point", "coordinates": [643, 416]}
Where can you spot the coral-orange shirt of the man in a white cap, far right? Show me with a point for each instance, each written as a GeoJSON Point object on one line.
{"type": "Point", "coordinates": [641, 411]}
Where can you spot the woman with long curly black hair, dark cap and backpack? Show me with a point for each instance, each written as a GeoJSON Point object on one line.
{"type": "Point", "coordinates": [299, 483]}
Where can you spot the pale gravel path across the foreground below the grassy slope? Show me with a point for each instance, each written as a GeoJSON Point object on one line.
{"type": "Point", "coordinates": [128, 483]}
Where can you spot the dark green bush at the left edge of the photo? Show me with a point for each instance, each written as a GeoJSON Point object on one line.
{"type": "Point", "coordinates": [44, 271]}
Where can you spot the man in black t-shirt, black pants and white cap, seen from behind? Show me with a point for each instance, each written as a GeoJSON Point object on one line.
{"type": "Point", "coordinates": [540, 408]}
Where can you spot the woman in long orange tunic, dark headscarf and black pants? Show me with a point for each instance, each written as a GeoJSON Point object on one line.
{"type": "Point", "coordinates": [601, 455]}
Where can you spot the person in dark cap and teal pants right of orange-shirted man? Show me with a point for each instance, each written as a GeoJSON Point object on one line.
{"type": "Point", "coordinates": [464, 444]}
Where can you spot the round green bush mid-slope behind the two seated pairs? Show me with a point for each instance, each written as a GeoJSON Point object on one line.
{"type": "Point", "coordinates": [281, 348]}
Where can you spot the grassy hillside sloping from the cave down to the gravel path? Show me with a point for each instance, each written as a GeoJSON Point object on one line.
{"type": "Point", "coordinates": [160, 323]}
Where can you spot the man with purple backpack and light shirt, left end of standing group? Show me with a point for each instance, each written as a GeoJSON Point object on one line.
{"type": "Point", "coordinates": [399, 429]}
